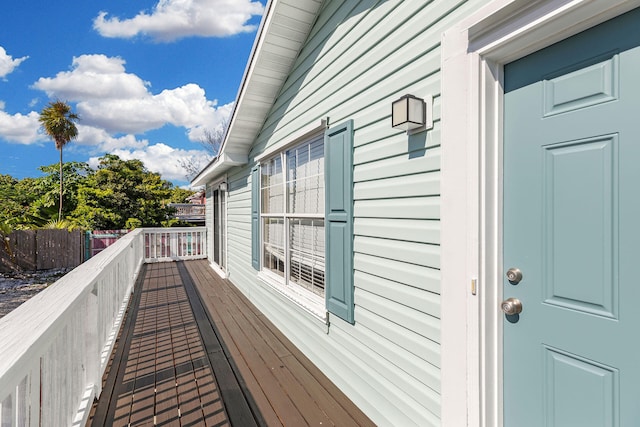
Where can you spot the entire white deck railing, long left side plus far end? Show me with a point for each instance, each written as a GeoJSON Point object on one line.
{"type": "Point", "coordinates": [55, 347]}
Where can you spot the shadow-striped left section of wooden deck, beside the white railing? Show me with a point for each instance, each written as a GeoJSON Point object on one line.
{"type": "Point", "coordinates": [164, 377]}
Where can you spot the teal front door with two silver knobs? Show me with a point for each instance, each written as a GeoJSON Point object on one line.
{"type": "Point", "coordinates": [571, 214]}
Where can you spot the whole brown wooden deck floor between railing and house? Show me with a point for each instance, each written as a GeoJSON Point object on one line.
{"type": "Point", "coordinates": [194, 351]}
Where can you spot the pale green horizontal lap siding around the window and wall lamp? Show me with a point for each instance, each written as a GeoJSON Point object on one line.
{"type": "Point", "coordinates": [360, 57]}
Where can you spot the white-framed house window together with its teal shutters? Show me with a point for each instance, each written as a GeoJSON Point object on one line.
{"type": "Point", "coordinates": [302, 221]}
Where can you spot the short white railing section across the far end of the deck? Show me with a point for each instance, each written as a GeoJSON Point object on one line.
{"type": "Point", "coordinates": [167, 244]}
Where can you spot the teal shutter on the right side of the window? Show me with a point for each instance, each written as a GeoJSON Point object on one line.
{"type": "Point", "coordinates": [338, 146]}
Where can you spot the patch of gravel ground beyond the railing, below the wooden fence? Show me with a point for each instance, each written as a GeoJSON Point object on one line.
{"type": "Point", "coordinates": [18, 287]}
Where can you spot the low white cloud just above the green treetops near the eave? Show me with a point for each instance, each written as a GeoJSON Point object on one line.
{"type": "Point", "coordinates": [159, 158]}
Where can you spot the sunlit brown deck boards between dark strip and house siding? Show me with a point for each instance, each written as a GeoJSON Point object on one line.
{"type": "Point", "coordinates": [295, 387]}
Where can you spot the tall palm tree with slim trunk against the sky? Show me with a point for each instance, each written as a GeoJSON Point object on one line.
{"type": "Point", "coordinates": [57, 120]}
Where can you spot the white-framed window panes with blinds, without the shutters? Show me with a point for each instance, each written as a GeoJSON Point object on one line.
{"type": "Point", "coordinates": [292, 216]}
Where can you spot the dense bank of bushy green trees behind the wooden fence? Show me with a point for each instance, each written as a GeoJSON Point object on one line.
{"type": "Point", "coordinates": [119, 194]}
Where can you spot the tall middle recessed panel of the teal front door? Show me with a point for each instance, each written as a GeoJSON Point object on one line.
{"type": "Point", "coordinates": [577, 201]}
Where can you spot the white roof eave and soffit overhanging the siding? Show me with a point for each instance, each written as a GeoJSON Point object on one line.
{"type": "Point", "coordinates": [282, 33]}
